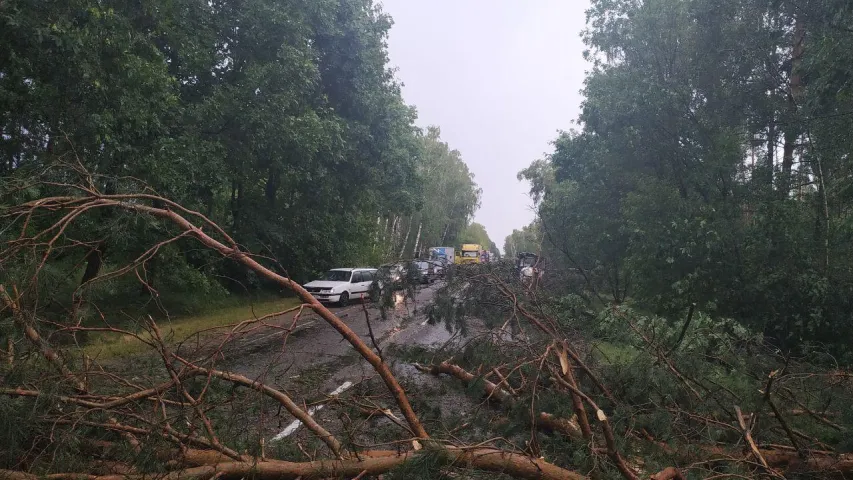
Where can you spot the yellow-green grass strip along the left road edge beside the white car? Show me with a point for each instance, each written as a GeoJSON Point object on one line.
{"type": "Point", "coordinates": [107, 345]}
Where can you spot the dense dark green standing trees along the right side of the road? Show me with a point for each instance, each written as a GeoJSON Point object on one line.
{"type": "Point", "coordinates": [711, 165]}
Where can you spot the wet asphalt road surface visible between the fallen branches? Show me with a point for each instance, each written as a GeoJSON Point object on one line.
{"type": "Point", "coordinates": [316, 362]}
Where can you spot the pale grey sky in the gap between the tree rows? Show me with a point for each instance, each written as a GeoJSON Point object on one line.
{"type": "Point", "coordinates": [499, 77]}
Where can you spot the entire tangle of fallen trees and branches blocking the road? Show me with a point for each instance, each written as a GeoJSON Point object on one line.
{"type": "Point", "coordinates": [642, 410]}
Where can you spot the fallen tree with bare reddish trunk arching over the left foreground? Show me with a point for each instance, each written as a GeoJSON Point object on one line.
{"type": "Point", "coordinates": [178, 410]}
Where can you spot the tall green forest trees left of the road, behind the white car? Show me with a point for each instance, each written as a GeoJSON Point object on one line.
{"type": "Point", "coordinates": [281, 121]}
